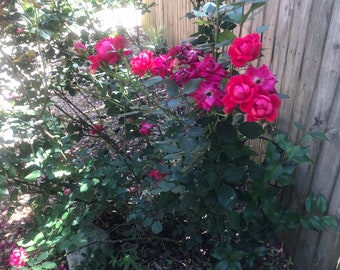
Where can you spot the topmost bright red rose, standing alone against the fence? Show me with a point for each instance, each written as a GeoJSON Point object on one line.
{"type": "Point", "coordinates": [245, 49]}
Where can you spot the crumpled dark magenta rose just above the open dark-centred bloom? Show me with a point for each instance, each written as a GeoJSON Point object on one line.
{"type": "Point", "coordinates": [209, 69]}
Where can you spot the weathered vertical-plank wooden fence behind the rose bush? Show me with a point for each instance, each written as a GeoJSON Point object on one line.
{"type": "Point", "coordinates": [302, 47]}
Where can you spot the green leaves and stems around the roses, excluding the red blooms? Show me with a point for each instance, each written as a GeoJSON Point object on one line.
{"type": "Point", "coordinates": [214, 184]}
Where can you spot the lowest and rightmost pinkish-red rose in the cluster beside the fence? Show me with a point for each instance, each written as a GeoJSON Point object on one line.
{"type": "Point", "coordinates": [263, 106]}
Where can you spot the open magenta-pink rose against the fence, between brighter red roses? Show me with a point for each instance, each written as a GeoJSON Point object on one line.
{"type": "Point", "coordinates": [263, 78]}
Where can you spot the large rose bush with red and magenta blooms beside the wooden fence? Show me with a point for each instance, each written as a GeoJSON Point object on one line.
{"type": "Point", "coordinates": [166, 158]}
